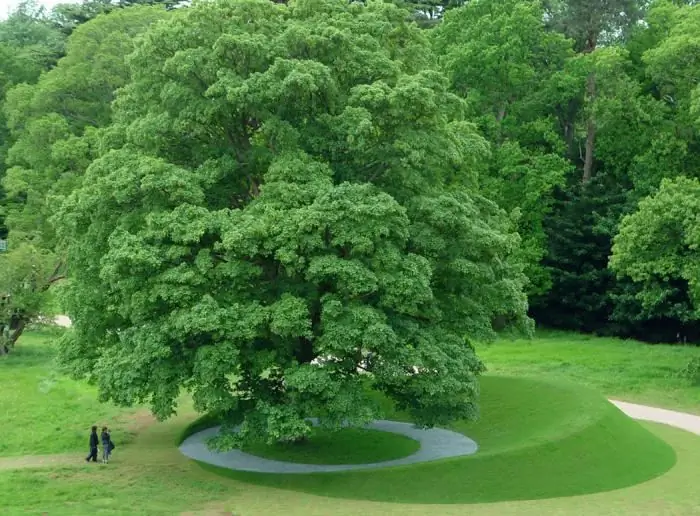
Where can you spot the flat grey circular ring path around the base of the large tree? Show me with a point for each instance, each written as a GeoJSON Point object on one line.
{"type": "Point", "coordinates": [435, 444]}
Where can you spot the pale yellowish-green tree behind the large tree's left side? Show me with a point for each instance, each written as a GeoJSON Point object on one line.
{"type": "Point", "coordinates": [54, 126]}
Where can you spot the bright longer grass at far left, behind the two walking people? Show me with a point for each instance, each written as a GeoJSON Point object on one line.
{"type": "Point", "coordinates": [43, 411]}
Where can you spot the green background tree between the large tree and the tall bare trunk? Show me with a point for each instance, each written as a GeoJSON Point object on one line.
{"type": "Point", "coordinates": [500, 57]}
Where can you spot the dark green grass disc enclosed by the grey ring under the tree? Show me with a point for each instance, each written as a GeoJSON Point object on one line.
{"type": "Point", "coordinates": [347, 446]}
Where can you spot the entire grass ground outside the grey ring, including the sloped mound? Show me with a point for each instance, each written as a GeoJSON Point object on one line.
{"type": "Point", "coordinates": [522, 442]}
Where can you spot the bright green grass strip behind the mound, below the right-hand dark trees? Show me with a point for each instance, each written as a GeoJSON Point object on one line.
{"type": "Point", "coordinates": [622, 369]}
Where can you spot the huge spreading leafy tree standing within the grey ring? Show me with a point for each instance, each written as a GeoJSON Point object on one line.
{"type": "Point", "coordinates": [290, 198]}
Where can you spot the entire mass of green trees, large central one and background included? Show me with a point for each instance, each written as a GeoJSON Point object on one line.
{"type": "Point", "coordinates": [235, 189]}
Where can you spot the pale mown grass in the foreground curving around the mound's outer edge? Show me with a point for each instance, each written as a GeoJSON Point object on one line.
{"type": "Point", "coordinates": [153, 478]}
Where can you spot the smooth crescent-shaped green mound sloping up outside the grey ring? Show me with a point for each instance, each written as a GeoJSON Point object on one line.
{"type": "Point", "coordinates": [537, 440]}
